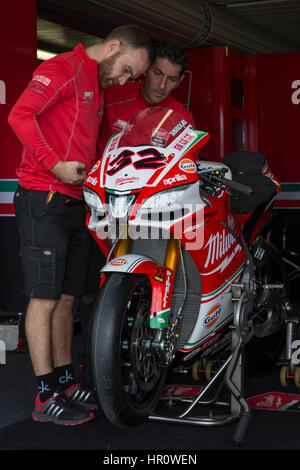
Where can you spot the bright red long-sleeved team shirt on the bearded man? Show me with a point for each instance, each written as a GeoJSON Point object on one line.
{"type": "Point", "coordinates": [58, 117]}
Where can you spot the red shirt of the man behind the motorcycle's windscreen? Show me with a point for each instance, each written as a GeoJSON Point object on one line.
{"type": "Point", "coordinates": [123, 102]}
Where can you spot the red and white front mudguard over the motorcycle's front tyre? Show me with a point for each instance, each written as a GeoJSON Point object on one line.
{"type": "Point", "coordinates": [160, 277]}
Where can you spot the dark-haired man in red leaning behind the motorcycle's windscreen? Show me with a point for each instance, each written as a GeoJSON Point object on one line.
{"type": "Point", "coordinates": [162, 77]}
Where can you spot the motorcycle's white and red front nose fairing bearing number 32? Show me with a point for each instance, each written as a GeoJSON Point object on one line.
{"type": "Point", "coordinates": [120, 169]}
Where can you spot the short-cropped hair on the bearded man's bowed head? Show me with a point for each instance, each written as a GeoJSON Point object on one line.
{"type": "Point", "coordinates": [132, 37]}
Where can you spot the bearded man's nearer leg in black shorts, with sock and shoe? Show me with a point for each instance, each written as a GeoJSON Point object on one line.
{"type": "Point", "coordinates": [44, 230]}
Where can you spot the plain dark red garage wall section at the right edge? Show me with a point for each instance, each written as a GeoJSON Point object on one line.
{"type": "Point", "coordinates": [278, 78]}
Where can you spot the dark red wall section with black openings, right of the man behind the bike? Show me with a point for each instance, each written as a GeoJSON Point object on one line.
{"type": "Point", "coordinates": [223, 99]}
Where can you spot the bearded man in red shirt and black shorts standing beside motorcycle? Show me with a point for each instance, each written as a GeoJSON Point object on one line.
{"type": "Point", "coordinates": [57, 120]}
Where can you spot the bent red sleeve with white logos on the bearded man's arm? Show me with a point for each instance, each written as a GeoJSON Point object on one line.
{"type": "Point", "coordinates": [50, 84]}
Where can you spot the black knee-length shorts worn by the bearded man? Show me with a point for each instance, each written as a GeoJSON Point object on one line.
{"type": "Point", "coordinates": [55, 244]}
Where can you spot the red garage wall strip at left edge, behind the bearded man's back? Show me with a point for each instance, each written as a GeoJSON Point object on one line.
{"type": "Point", "coordinates": [18, 60]}
